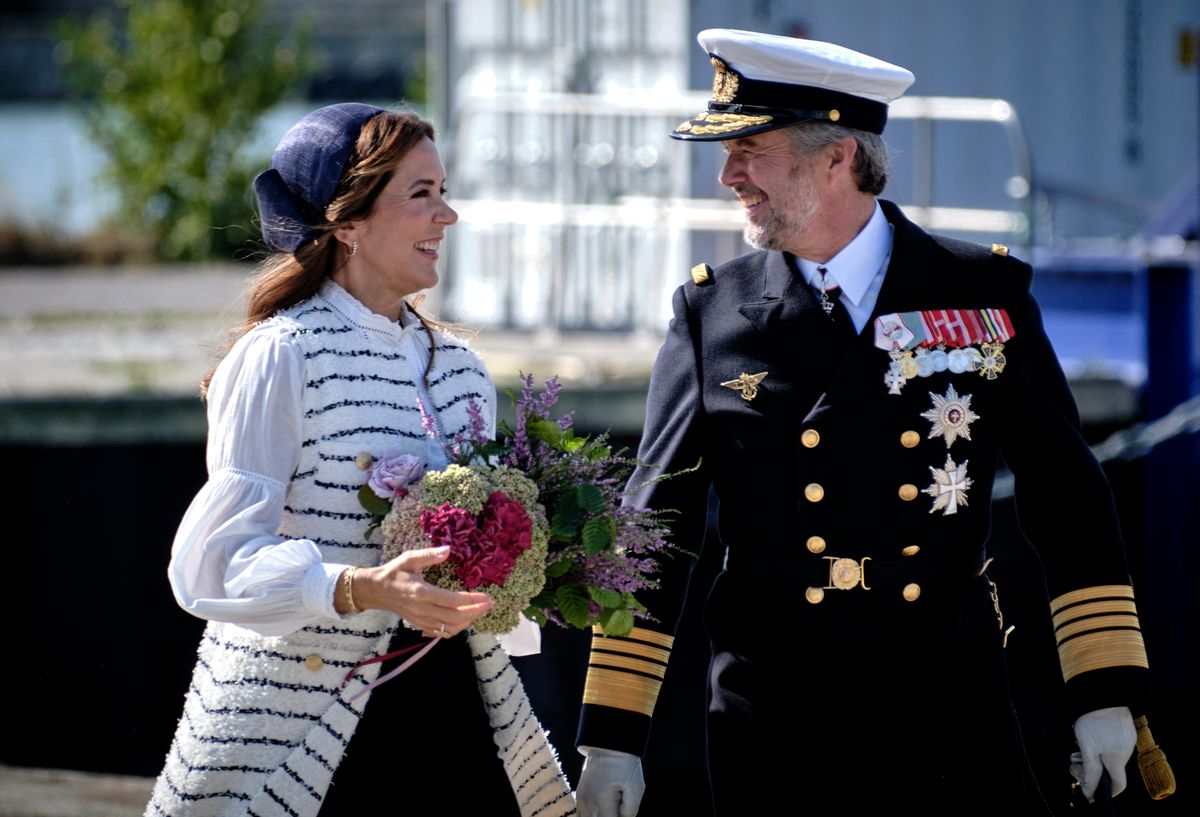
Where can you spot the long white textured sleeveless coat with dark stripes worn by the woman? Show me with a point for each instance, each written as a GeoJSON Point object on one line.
{"type": "Point", "coordinates": [266, 723]}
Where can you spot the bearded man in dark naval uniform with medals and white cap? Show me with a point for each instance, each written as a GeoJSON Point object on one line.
{"type": "Point", "coordinates": [848, 391]}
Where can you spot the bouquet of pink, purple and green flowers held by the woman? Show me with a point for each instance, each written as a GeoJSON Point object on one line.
{"type": "Point", "coordinates": [533, 519]}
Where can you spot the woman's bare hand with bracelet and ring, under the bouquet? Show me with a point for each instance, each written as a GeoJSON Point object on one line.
{"type": "Point", "coordinates": [399, 587]}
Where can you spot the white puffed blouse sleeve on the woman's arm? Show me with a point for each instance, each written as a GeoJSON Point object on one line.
{"type": "Point", "coordinates": [227, 563]}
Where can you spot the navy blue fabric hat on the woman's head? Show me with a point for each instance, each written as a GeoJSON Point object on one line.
{"type": "Point", "coordinates": [305, 170]}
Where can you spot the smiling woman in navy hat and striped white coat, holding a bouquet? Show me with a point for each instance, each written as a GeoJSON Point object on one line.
{"type": "Point", "coordinates": [333, 364]}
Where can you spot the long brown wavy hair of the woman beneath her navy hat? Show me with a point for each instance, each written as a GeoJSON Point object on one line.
{"type": "Point", "coordinates": [287, 279]}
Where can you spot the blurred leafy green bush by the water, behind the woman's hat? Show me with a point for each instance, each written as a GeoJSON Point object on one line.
{"type": "Point", "coordinates": [172, 92]}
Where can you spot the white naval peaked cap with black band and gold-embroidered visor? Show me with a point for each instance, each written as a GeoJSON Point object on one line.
{"type": "Point", "coordinates": [764, 82]}
